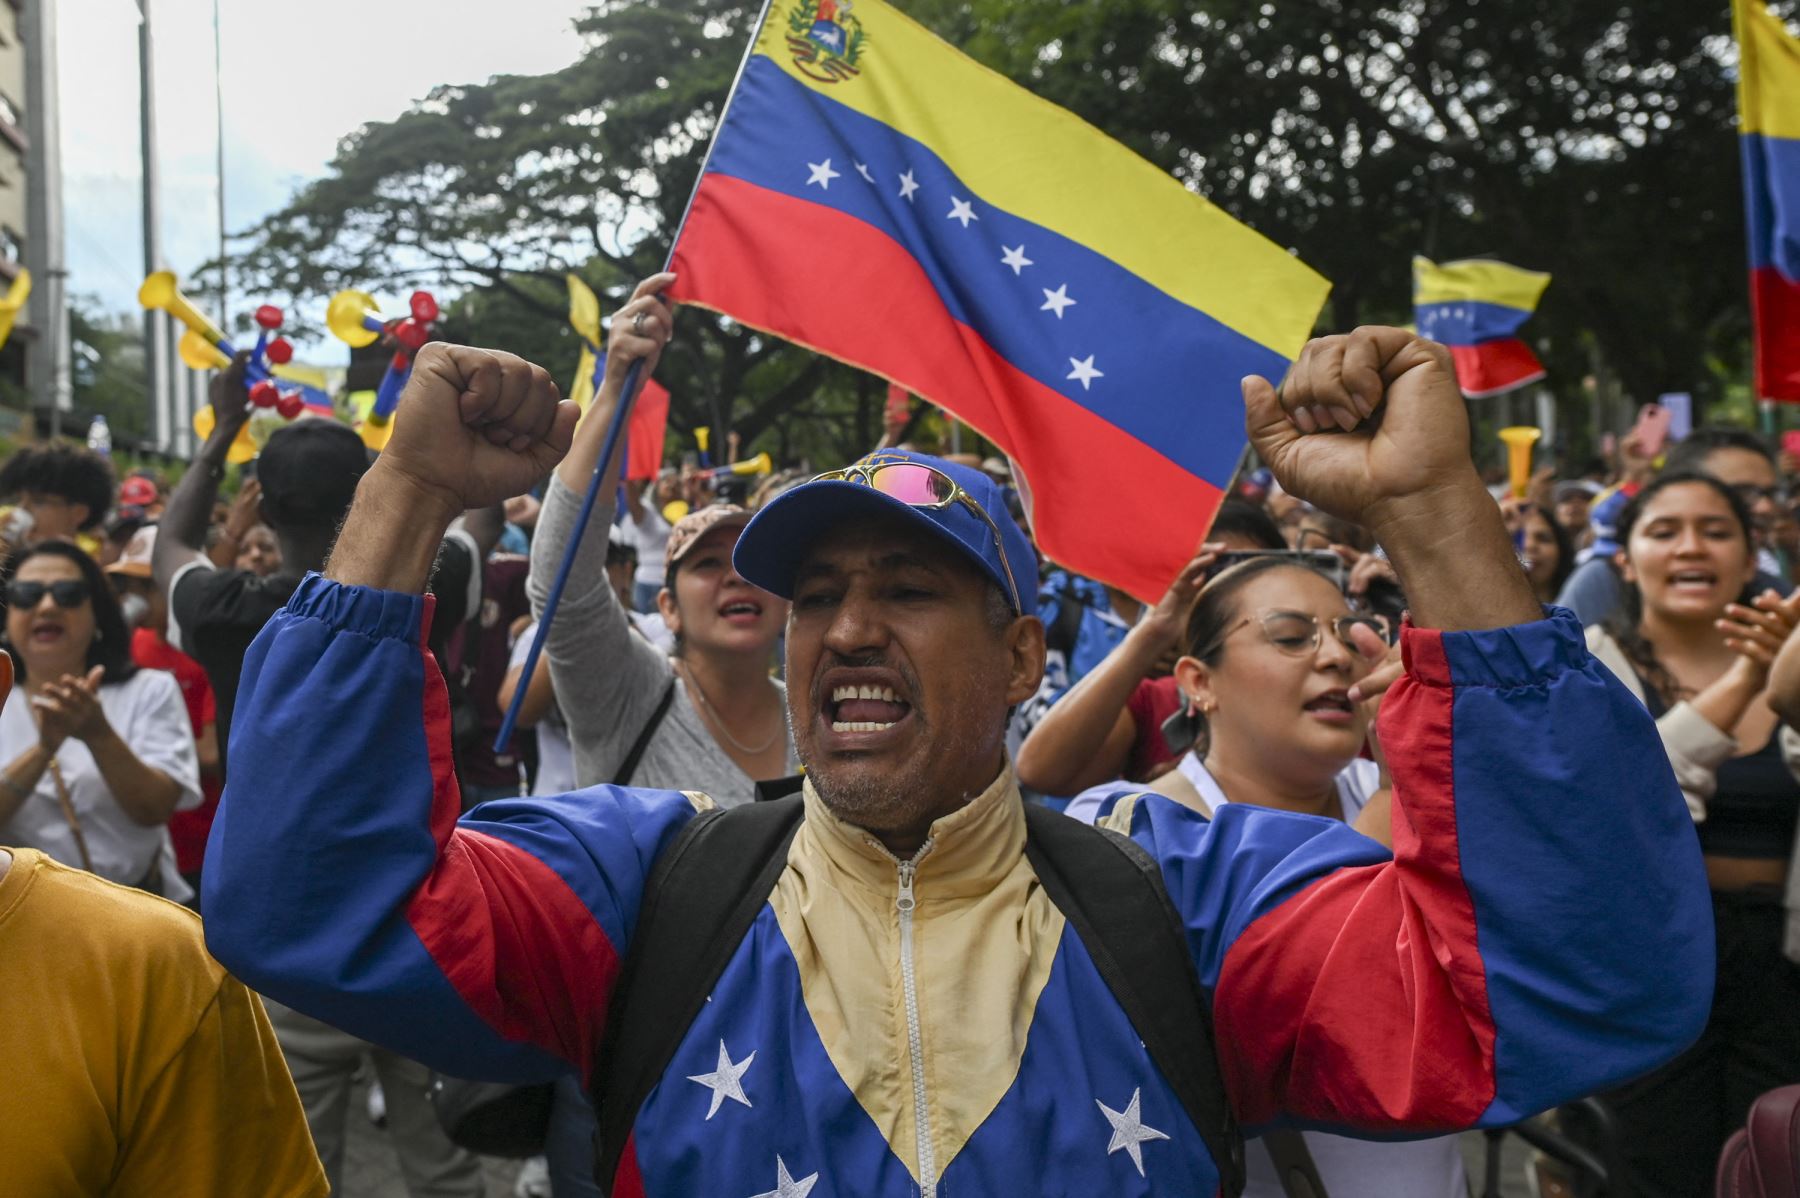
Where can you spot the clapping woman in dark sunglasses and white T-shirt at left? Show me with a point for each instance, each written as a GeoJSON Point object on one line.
{"type": "Point", "coordinates": [94, 753]}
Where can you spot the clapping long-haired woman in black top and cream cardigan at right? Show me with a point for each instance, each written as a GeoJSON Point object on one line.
{"type": "Point", "coordinates": [1695, 641]}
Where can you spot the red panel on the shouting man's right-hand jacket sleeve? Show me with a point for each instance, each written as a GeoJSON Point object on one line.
{"type": "Point", "coordinates": [1295, 1024]}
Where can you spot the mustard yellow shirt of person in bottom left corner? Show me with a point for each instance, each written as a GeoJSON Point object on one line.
{"type": "Point", "coordinates": [134, 1064]}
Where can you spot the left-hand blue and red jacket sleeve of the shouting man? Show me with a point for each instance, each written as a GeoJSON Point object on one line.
{"type": "Point", "coordinates": [341, 882]}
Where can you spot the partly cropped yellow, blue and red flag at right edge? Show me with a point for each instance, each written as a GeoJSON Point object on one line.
{"type": "Point", "coordinates": [1768, 121]}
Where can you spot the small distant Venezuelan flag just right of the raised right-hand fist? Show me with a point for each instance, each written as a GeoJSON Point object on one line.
{"type": "Point", "coordinates": [1477, 307]}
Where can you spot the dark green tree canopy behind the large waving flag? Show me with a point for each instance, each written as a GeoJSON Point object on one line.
{"type": "Point", "coordinates": [1587, 138]}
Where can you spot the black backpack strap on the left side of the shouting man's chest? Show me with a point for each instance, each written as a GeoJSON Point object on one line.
{"type": "Point", "coordinates": [703, 897]}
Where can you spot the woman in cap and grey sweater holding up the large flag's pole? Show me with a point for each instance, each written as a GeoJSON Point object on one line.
{"type": "Point", "coordinates": [710, 715]}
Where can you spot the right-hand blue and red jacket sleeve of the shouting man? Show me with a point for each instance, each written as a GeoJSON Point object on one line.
{"type": "Point", "coordinates": [1542, 931]}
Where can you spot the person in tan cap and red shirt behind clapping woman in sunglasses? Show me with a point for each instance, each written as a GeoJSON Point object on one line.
{"type": "Point", "coordinates": [147, 614]}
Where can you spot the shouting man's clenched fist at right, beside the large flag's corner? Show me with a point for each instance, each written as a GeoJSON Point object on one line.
{"type": "Point", "coordinates": [1365, 424]}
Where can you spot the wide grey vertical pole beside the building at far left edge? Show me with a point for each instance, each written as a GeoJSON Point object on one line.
{"type": "Point", "coordinates": [46, 355]}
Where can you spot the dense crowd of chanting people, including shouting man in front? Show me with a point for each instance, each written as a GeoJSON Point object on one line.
{"type": "Point", "coordinates": [408, 898]}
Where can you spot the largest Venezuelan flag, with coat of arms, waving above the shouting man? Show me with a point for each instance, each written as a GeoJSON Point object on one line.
{"type": "Point", "coordinates": [883, 199]}
